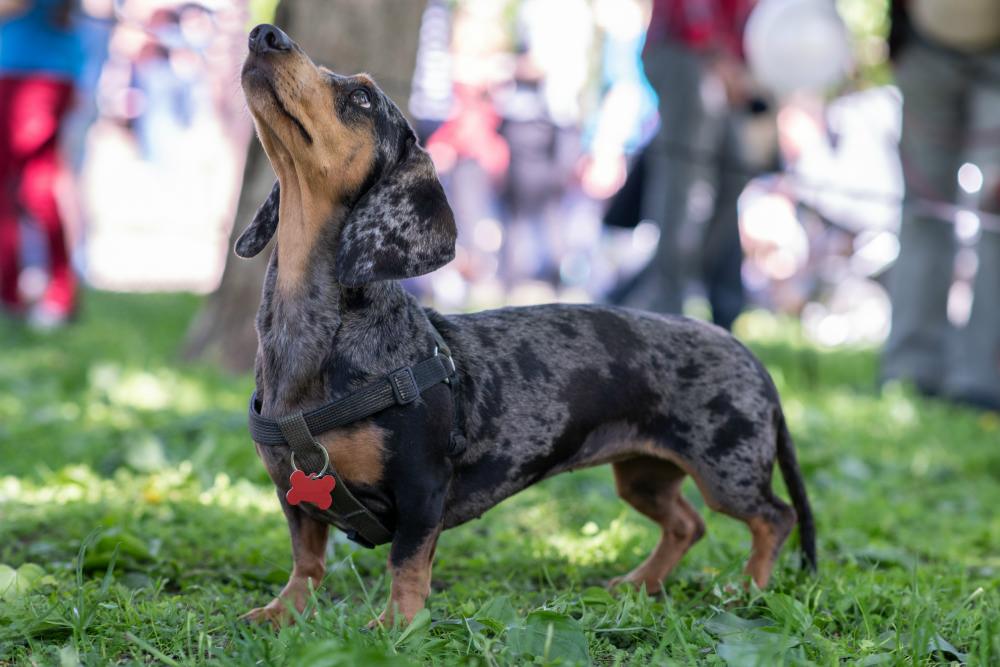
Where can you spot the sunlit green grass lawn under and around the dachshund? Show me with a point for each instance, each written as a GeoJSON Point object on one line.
{"type": "Point", "coordinates": [136, 525]}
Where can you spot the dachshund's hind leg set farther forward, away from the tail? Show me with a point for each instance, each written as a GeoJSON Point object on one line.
{"type": "Point", "coordinates": [652, 486]}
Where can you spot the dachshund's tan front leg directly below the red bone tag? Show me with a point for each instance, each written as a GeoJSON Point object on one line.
{"type": "Point", "coordinates": [308, 567]}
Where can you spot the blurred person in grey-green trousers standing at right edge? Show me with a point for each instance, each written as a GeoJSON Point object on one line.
{"type": "Point", "coordinates": [946, 55]}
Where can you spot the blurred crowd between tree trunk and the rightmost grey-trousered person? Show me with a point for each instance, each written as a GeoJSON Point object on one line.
{"type": "Point", "coordinates": [567, 131]}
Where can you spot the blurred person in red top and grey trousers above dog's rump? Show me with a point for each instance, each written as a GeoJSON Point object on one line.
{"type": "Point", "coordinates": [693, 58]}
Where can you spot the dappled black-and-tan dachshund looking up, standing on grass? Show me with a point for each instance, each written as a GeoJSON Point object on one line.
{"type": "Point", "coordinates": [357, 207]}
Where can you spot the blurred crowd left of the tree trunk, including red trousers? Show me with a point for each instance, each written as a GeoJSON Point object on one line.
{"type": "Point", "coordinates": [122, 146]}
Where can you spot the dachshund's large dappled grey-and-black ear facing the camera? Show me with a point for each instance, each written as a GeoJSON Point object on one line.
{"type": "Point", "coordinates": [403, 226]}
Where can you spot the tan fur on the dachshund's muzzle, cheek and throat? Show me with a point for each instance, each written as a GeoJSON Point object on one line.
{"type": "Point", "coordinates": [315, 176]}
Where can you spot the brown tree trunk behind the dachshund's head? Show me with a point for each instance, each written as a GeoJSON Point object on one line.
{"type": "Point", "coordinates": [348, 36]}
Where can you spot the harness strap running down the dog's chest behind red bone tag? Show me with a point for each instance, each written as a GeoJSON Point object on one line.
{"type": "Point", "coordinates": [310, 456]}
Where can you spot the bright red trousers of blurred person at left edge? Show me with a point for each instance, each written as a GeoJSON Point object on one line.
{"type": "Point", "coordinates": [31, 111]}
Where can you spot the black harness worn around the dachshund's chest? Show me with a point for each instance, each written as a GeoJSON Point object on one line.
{"type": "Point", "coordinates": [296, 430]}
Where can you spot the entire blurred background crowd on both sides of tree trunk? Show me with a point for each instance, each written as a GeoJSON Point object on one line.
{"type": "Point", "coordinates": [674, 155]}
